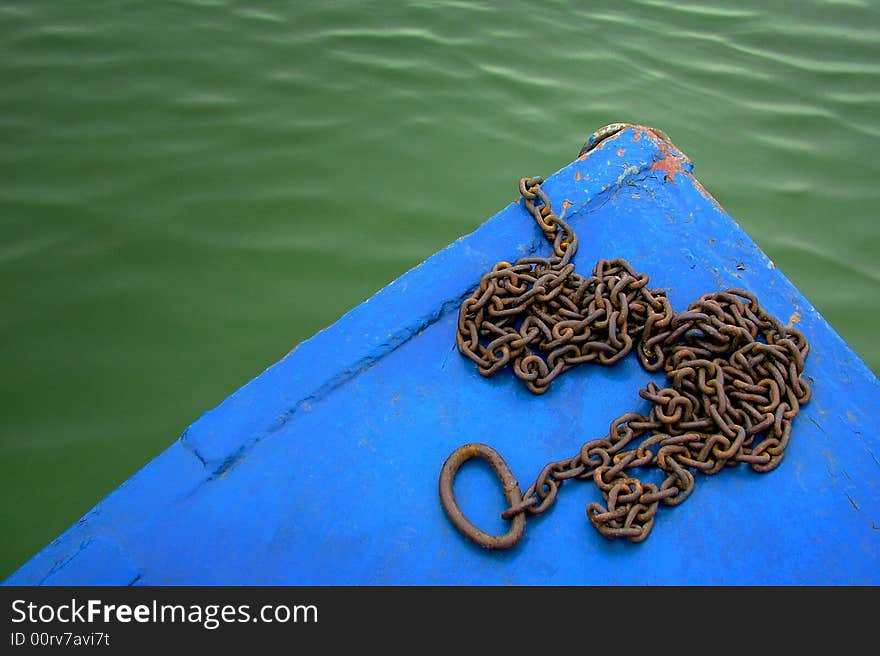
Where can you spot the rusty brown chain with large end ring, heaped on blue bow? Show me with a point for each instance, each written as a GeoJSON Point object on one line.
{"type": "Point", "coordinates": [735, 376]}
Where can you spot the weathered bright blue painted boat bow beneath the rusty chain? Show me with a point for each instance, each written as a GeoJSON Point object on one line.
{"type": "Point", "coordinates": [323, 469]}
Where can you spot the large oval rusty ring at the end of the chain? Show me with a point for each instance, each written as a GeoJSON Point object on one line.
{"type": "Point", "coordinates": [511, 492]}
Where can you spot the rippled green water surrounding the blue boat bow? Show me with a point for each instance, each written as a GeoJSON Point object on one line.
{"type": "Point", "coordinates": [188, 189]}
